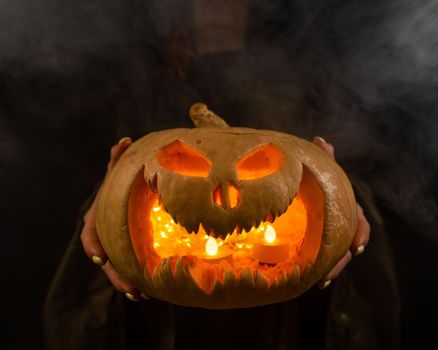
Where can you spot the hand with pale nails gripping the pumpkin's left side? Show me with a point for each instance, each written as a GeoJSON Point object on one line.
{"type": "Point", "coordinates": [90, 239]}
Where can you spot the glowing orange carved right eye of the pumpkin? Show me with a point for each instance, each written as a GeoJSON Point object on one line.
{"type": "Point", "coordinates": [260, 162]}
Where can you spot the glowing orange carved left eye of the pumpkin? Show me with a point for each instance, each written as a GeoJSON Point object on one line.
{"type": "Point", "coordinates": [182, 159]}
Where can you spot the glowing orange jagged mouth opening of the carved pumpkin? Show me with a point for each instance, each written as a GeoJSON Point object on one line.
{"type": "Point", "coordinates": [155, 236]}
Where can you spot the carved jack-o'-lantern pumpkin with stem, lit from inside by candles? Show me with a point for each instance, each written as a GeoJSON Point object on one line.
{"type": "Point", "coordinates": [223, 217]}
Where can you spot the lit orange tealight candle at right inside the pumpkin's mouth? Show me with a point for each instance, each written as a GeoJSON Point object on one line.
{"type": "Point", "coordinates": [270, 249]}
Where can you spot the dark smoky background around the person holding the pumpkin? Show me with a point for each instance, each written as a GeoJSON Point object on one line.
{"type": "Point", "coordinates": [77, 75]}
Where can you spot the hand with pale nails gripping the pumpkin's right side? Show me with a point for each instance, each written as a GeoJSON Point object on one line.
{"type": "Point", "coordinates": [361, 237]}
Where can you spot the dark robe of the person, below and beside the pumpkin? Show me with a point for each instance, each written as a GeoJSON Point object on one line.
{"type": "Point", "coordinates": [360, 310]}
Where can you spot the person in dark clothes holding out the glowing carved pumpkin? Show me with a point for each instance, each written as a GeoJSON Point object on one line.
{"type": "Point", "coordinates": [350, 314]}
